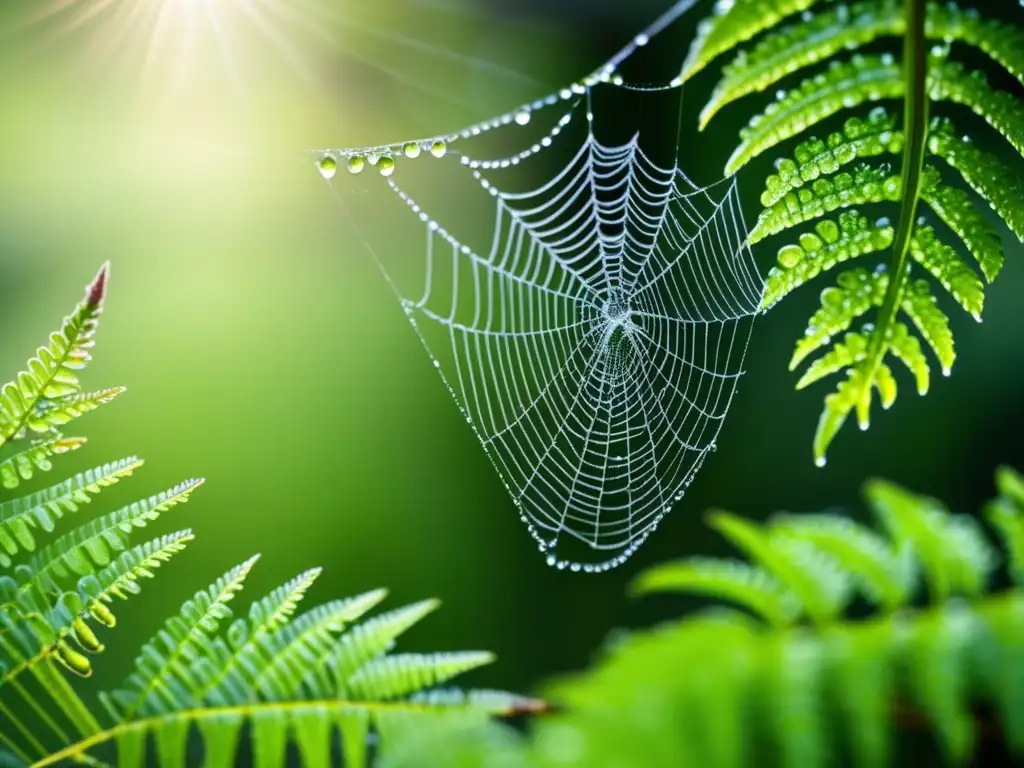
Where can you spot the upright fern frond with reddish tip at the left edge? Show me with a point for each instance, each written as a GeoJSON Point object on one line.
{"type": "Point", "coordinates": [54, 372]}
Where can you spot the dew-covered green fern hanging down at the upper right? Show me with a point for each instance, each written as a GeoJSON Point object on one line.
{"type": "Point", "coordinates": [834, 182]}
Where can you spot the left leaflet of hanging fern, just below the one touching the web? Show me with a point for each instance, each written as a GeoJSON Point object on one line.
{"type": "Point", "coordinates": [859, 291]}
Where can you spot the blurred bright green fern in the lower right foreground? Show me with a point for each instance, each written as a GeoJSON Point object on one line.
{"type": "Point", "coordinates": [783, 676]}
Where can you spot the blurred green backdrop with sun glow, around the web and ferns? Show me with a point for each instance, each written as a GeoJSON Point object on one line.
{"type": "Point", "coordinates": [263, 351]}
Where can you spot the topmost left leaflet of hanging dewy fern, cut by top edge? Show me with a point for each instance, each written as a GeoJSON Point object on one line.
{"type": "Point", "coordinates": [736, 22]}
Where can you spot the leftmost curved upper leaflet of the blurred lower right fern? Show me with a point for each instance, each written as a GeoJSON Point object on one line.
{"type": "Point", "coordinates": [737, 582]}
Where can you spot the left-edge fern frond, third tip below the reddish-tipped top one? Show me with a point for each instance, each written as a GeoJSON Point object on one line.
{"type": "Point", "coordinates": [45, 508]}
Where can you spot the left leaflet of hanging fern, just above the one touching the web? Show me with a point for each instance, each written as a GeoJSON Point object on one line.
{"type": "Point", "coordinates": [867, 185]}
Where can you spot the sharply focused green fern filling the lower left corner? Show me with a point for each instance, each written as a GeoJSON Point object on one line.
{"type": "Point", "coordinates": [271, 677]}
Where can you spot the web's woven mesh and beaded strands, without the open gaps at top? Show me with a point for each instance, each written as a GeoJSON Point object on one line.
{"type": "Point", "coordinates": [595, 349]}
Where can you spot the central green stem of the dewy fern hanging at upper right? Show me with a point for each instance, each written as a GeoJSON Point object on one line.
{"type": "Point", "coordinates": [916, 131]}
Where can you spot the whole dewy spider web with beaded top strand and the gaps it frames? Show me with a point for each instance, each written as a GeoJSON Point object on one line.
{"type": "Point", "coordinates": [587, 305]}
